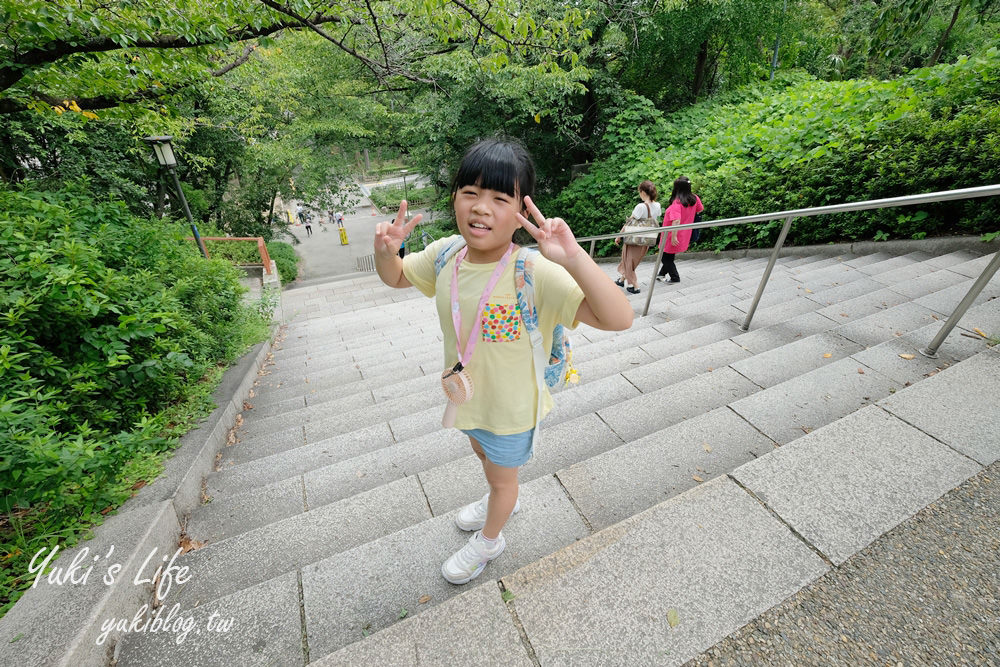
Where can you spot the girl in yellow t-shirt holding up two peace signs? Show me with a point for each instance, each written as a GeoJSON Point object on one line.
{"type": "Point", "coordinates": [482, 326]}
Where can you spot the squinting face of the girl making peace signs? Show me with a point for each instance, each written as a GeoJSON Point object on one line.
{"type": "Point", "coordinates": [487, 219]}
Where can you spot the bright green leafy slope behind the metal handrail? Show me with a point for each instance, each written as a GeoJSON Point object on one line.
{"type": "Point", "coordinates": [781, 147]}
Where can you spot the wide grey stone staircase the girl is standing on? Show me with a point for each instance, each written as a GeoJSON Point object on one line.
{"type": "Point", "coordinates": [677, 493]}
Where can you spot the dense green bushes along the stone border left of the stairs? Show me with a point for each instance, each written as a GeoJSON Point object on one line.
{"type": "Point", "coordinates": [112, 332]}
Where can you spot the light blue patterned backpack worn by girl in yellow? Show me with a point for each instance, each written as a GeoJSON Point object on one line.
{"type": "Point", "coordinates": [559, 369]}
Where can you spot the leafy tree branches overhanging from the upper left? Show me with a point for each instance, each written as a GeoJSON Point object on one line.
{"type": "Point", "coordinates": [100, 55]}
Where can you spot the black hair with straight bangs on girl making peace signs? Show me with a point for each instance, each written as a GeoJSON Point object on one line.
{"type": "Point", "coordinates": [497, 164]}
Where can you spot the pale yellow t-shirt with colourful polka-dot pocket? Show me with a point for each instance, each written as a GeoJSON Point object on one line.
{"type": "Point", "coordinates": [505, 394]}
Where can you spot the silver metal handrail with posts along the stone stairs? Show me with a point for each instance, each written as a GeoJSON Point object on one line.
{"type": "Point", "coordinates": [907, 200]}
